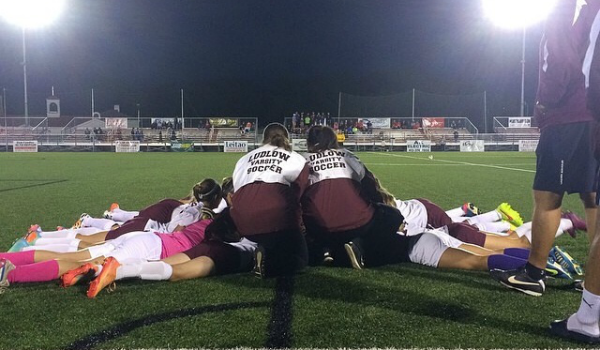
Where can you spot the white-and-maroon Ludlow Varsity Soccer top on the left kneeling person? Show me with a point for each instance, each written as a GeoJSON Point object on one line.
{"type": "Point", "coordinates": [268, 183]}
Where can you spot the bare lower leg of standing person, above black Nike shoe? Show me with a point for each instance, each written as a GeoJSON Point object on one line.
{"type": "Point", "coordinates": [546, 218]}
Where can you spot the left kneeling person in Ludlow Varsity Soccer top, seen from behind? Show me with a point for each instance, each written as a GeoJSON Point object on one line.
{"type": "Point", "coordinates": [268, 183]}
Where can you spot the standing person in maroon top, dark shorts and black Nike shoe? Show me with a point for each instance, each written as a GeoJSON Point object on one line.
{"type": "Point", "coordinates": [565, 159]}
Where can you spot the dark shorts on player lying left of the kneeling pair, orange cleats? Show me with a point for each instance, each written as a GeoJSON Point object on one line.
{"type": "Point", "coordinates": [226, 257]}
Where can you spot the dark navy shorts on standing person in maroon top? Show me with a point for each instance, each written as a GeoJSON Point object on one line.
{"type": "Point", "coordinates": [565, 159]}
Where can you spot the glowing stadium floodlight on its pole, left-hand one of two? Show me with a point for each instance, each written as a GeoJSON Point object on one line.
{"type": "Point", "coordinates": [30, 14]}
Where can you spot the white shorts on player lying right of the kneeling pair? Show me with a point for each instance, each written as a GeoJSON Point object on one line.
{"type": "Point", "coordinates": [429, 248]}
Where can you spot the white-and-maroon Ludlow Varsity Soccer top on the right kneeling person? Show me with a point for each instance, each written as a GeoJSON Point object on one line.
{"type": "Point", "coordinates": [333, 200]}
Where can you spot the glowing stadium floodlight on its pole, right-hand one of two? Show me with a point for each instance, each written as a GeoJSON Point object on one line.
{"type": "Point", "coordinates": [518, 14]}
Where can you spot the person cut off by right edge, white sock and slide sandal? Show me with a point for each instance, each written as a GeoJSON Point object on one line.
{"type": "Point", "coordinates": [583, 325]}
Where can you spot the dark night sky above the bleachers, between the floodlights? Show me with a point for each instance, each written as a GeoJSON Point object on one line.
{"type": "Point", "coordinates": [264, 58]}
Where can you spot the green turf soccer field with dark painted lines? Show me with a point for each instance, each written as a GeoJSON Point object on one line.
{"type": "Point", "coordinates": [401, 306]}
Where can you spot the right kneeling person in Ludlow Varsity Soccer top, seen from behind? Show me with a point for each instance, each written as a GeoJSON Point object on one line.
{"type": "Point", "coordinates": [342, 209]}
